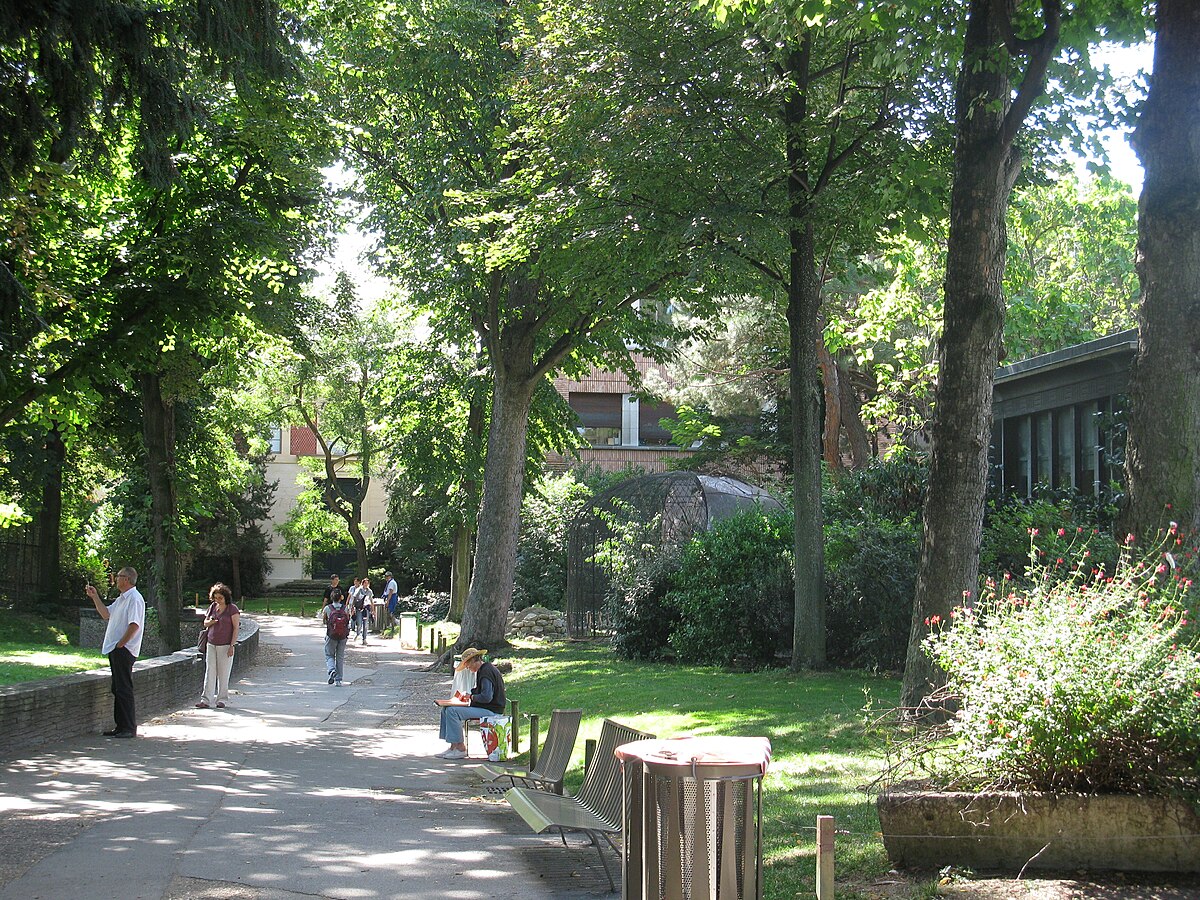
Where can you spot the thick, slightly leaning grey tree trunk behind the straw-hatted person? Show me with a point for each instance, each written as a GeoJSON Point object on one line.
{"type": "Point", "coordinates": [485, 616]}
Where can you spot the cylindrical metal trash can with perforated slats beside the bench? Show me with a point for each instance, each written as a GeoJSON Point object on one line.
{"type": "Point", "coordinates": [693, 819]}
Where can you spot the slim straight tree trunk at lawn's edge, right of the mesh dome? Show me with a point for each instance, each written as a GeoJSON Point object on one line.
{"type": "Point", "coordinates": [805, 335]}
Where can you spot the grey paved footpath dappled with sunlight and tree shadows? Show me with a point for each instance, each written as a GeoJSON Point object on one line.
{"type": "Point", "coordinates": [299, 790]}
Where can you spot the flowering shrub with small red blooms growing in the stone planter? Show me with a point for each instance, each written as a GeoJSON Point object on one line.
{"type": "Point", "coordinates": [1083, 683]}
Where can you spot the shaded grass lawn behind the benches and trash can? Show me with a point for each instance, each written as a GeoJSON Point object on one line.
{"type": "Point", "coordinates": [821, 758]}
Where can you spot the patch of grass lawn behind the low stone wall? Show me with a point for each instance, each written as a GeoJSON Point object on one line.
{"type": "Point", "coordinates": [35, 647]}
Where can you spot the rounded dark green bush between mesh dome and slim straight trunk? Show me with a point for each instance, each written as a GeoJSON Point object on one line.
{"type": "Point", "coordinates": [734, 592]}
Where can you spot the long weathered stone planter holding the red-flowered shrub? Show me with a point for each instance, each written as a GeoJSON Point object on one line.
{"type": "Point", "coordinates": [1040, 831]}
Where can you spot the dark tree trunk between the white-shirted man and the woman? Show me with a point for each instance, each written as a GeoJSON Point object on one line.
{"type": "Point", "coordinates": [159, 430]}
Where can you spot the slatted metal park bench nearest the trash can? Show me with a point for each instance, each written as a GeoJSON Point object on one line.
{"type": "Point", "coordinates": [597, 809]}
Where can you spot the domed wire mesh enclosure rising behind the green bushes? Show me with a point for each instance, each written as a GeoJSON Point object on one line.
{"type": "Point", "coordinates": [657, 512]}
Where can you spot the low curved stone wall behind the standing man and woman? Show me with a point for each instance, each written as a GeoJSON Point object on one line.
{"type": "Point", "coordinates": [40, 713]}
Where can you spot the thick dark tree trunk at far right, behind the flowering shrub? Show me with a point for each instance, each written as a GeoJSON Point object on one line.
{"type": "Point", "coordinates": [1163, 448]}
